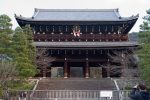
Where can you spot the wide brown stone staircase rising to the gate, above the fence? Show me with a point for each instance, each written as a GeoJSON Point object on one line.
{"type": "Point", "coordinates": [76, 84]}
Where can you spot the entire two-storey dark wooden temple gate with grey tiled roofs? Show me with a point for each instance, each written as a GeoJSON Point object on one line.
{"type": "Point", "coordinates": [82, 39]}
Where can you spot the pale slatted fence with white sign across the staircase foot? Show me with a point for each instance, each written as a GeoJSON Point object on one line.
{"type": "Point", "coordinates": [69, 95]}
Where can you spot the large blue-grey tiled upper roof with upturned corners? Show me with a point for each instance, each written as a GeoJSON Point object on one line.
{"type": "Point", "coordinates": [77, 15]}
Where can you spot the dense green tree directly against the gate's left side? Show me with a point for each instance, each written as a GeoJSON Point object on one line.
{"type": "Point", "coordinates": [24, 52]}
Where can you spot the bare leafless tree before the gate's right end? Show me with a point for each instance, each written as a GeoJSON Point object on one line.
{"type": "Point", "coordinates": [128, 71]}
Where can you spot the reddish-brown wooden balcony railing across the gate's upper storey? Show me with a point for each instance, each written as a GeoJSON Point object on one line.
{"type": "Point", "coordinates": [82, 37]}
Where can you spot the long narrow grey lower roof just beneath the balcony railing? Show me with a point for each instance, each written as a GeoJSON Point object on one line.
{"type": "Point", "coordinates": [85, 44]}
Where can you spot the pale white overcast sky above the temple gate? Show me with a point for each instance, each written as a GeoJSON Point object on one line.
{"type": "Point", "coordinates": [26, 7]}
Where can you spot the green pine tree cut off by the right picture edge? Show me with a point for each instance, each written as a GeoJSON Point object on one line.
{"type": "Point", "coordinates": [144, 52]}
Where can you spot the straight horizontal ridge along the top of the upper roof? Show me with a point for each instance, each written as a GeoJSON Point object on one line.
{"type": "Point", "coordinates": [75, 10]}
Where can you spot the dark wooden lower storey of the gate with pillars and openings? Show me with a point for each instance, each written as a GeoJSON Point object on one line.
{"type": "Point", "coordinates": [81, 63]}
